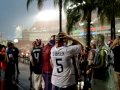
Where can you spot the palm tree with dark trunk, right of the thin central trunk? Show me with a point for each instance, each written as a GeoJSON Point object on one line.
{"type": "Point", "coordinates": [74, 15]}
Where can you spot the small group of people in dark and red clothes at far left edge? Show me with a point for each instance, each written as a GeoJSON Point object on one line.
{"type": "Point", "coordinates": [8, 66]}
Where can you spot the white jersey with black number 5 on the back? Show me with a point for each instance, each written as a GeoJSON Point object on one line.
{"type": "Point", "coordinates": [63, 74]}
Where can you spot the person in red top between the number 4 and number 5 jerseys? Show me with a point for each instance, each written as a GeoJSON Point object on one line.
{"type": "Point", "coordinates": [47, 68]}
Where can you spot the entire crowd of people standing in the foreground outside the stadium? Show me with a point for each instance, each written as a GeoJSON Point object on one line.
{"type": "Point", "coordinates": [64, 61]}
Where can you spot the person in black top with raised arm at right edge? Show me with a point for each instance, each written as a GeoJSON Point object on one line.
{"type": "Point", "coordinates": [115, 46]}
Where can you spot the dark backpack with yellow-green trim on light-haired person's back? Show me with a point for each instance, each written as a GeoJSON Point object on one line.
{"type": "Point", "coordinates": [101, 63]}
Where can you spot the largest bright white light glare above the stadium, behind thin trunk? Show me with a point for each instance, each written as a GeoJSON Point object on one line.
{"type": "Point", "coordinates": [49, 15]}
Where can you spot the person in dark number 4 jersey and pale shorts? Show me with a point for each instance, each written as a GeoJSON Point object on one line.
{"type": "Point", "coordinates": [36, 54]}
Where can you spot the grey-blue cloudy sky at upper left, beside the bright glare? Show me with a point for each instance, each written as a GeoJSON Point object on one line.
{"type": "Point", "coordinates": [14, 13]}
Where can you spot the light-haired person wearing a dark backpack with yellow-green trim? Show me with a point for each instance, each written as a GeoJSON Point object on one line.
{"type": "Point", "coordinates": [99, 67]}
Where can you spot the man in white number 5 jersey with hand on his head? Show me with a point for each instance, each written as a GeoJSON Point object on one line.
{"type": "Point", "coordinates": [63, 75]}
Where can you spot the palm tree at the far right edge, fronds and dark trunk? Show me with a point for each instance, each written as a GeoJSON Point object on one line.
{"type": "Point", "coordinates": [109, 9]}
